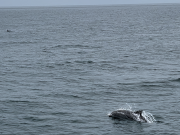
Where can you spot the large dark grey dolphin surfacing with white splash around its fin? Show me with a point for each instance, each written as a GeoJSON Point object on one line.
{"type": "Point", "coordinates": [128, 114]}
